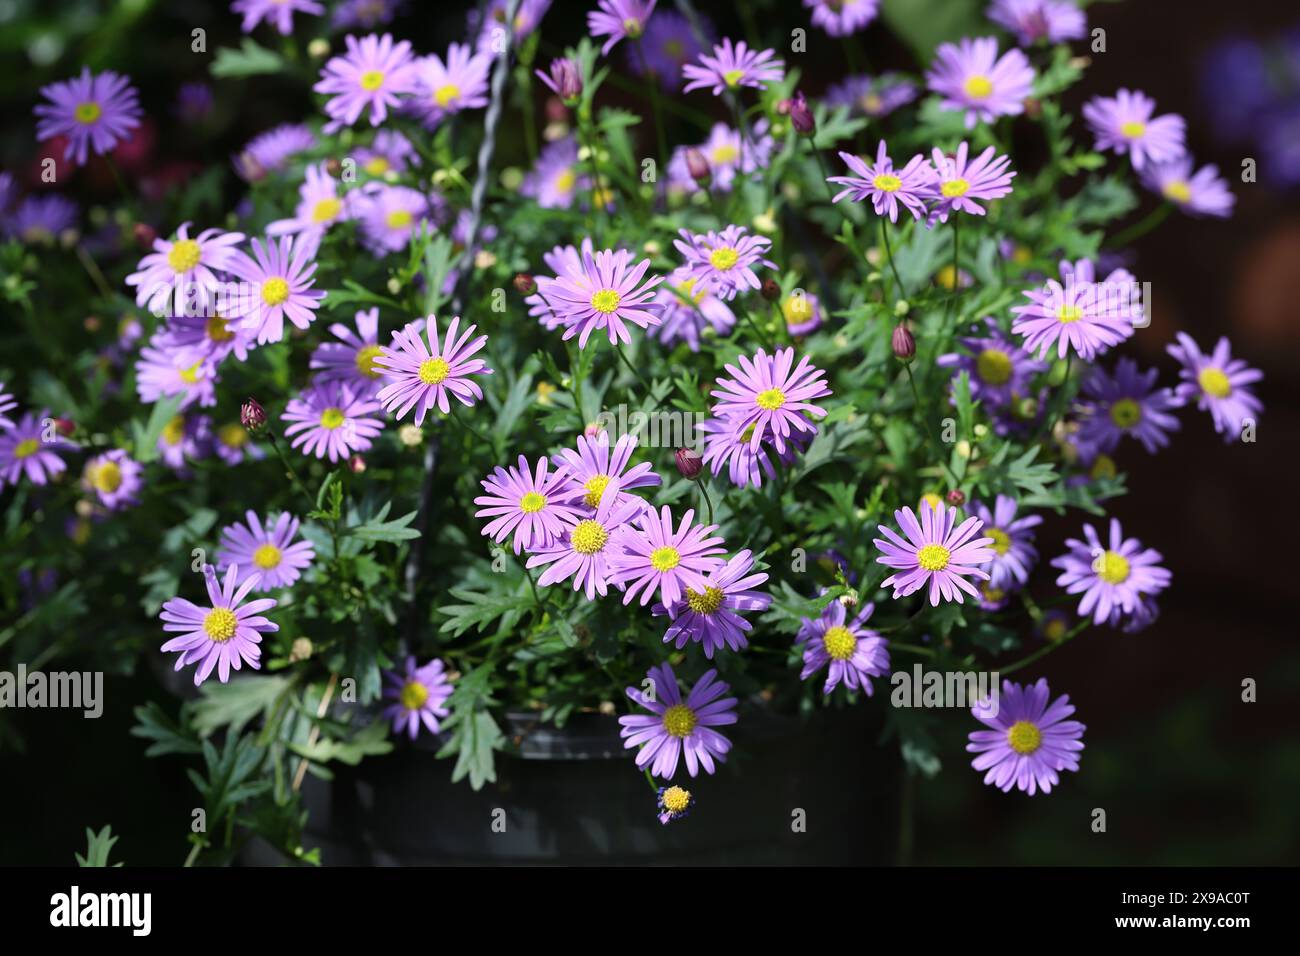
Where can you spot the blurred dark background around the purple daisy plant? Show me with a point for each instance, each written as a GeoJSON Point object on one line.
{"type": "Point", "coordinates": [1186, 772]}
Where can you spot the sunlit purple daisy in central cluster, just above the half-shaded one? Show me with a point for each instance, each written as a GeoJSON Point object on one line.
{"type": "Point", "coordinates": [658, 560]}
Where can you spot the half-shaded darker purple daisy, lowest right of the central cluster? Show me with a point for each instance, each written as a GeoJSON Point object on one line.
{"type": "Point", "coordinates": [712, 617]}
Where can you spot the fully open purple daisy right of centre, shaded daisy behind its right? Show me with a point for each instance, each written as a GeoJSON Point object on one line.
{"type": "Point", "coordinates": [935, 553]}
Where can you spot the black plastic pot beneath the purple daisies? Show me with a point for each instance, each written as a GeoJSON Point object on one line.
{"type": "Point", "coordinates": [574, 797]}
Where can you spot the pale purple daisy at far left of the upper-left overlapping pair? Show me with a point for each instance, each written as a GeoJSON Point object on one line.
{"type": "Point", "coordinates": [184, 271]}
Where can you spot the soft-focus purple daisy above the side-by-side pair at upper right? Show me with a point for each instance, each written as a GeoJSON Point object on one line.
{"type": "Point", "coordinates": [970, 76]}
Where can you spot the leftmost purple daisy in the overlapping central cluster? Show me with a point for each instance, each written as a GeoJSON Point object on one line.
{"type": "Point", "coordinates": [535, 507]}
